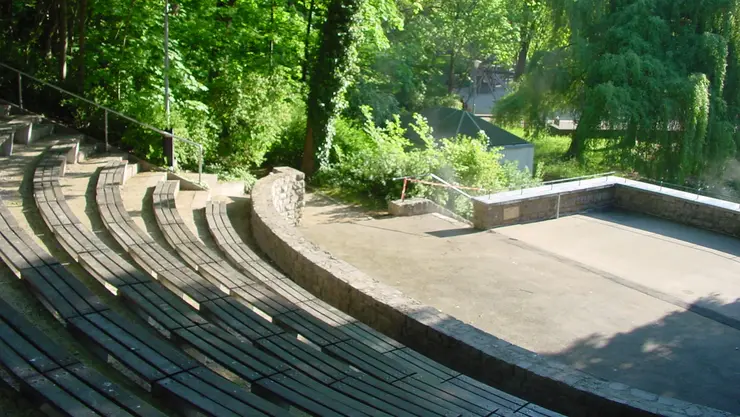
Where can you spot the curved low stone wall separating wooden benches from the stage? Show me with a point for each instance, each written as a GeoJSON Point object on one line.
{"type": "Point", "coordinates": [277, 201]}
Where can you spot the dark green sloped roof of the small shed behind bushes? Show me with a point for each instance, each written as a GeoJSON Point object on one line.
{"type": "Point", "coordinates": [447, 123]}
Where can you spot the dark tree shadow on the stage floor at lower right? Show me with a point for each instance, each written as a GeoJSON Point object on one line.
{"type": "Point", "coordinates": [707, 375]}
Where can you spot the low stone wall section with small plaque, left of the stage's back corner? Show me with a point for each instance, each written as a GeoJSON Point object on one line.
{"type": "Point", "coordinates": [540, 207]}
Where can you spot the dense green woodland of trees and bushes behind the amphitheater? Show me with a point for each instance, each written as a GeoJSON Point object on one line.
{"type": "Point", "coordinates": [319, 84]}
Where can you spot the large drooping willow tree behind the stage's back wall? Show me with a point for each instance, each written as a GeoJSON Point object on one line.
{"type": "Point", "coordinates": [662, 74]}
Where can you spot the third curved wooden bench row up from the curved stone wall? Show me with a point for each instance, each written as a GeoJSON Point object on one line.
{"type": "Point", "coordinates": [303, 374]}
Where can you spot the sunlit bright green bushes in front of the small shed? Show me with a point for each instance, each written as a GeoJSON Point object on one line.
{"type": "Point", "coordinates": [368, 160]}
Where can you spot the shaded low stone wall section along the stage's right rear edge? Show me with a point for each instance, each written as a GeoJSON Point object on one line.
{"type": "Point", "coordinates": [681, 210]}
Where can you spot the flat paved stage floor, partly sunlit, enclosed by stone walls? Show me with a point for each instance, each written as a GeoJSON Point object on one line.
{"type": "Point", "coordinates": [629, 298]}
